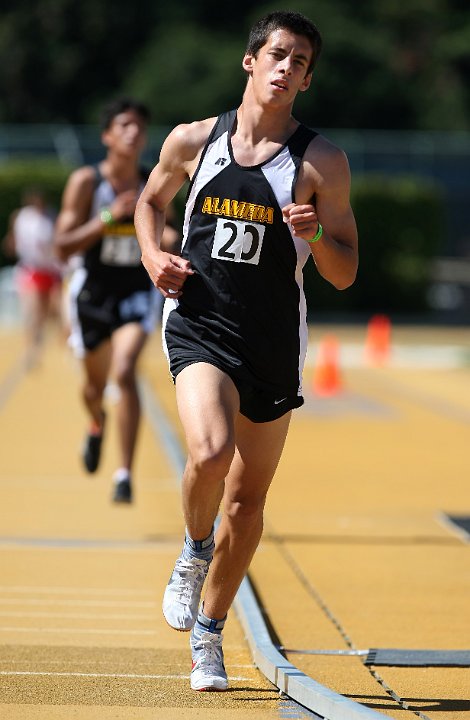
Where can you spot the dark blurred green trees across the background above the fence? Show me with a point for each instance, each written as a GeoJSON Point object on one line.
{"type": "Point", "coordinates": [384, 65]}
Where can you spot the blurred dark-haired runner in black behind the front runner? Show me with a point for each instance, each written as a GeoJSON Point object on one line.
{"type": "Point", "coordinates": [115, 305]}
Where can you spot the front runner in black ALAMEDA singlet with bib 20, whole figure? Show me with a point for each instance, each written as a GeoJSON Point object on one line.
{"type": "Point", "coordinates": [265, 193]}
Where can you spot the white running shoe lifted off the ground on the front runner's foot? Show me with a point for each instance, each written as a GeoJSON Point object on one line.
{"type": "Point", "coordinates": [183, 592]}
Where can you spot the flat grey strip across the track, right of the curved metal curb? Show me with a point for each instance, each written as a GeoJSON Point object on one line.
{"type": "Point", "coordinates": [418, 658]}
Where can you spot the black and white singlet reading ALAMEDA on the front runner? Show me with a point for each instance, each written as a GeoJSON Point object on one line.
{"type": "Point", "coordinates": [244, 309]}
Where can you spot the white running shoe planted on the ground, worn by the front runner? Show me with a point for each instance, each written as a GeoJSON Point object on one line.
{"type": "Point", "coordinates": [208, 670]}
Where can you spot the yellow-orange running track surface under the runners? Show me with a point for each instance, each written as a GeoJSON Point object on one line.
{"type": "Point", "coordinates": [355, 555]}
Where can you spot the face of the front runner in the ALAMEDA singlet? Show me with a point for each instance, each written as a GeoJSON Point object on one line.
{"type": "Point", "coordinates": [279, 71]}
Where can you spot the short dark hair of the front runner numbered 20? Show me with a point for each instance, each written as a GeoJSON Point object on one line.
{"type": "Point", "coordinates": [285, 20]}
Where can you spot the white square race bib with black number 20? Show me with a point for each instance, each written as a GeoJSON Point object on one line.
{"type": "Point", "coordinates": [238, 241]}
